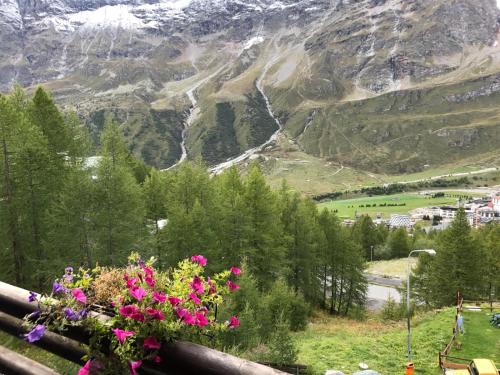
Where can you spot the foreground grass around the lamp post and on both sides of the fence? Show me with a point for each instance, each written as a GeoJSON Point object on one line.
{"type": "Point", "coordinates": [341, 344]}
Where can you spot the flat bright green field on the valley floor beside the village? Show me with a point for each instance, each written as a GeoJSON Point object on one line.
{"type": "Point", "coordinates": [349, 208]}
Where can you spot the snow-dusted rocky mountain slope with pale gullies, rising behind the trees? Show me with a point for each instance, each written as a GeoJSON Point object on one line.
{"type": "Point", "coordinates": [383, 85]}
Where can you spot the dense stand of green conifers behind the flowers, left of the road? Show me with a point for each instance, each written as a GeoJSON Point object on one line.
{"type": "Point", "coordinates": [58, 210]}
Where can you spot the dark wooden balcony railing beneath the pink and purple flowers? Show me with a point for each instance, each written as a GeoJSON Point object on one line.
{"type": "Point", "coordinates": [177, 358]}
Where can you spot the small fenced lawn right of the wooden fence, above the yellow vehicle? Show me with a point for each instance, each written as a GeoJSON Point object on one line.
{"type": "Point", "coordinates": [481, 340]}
